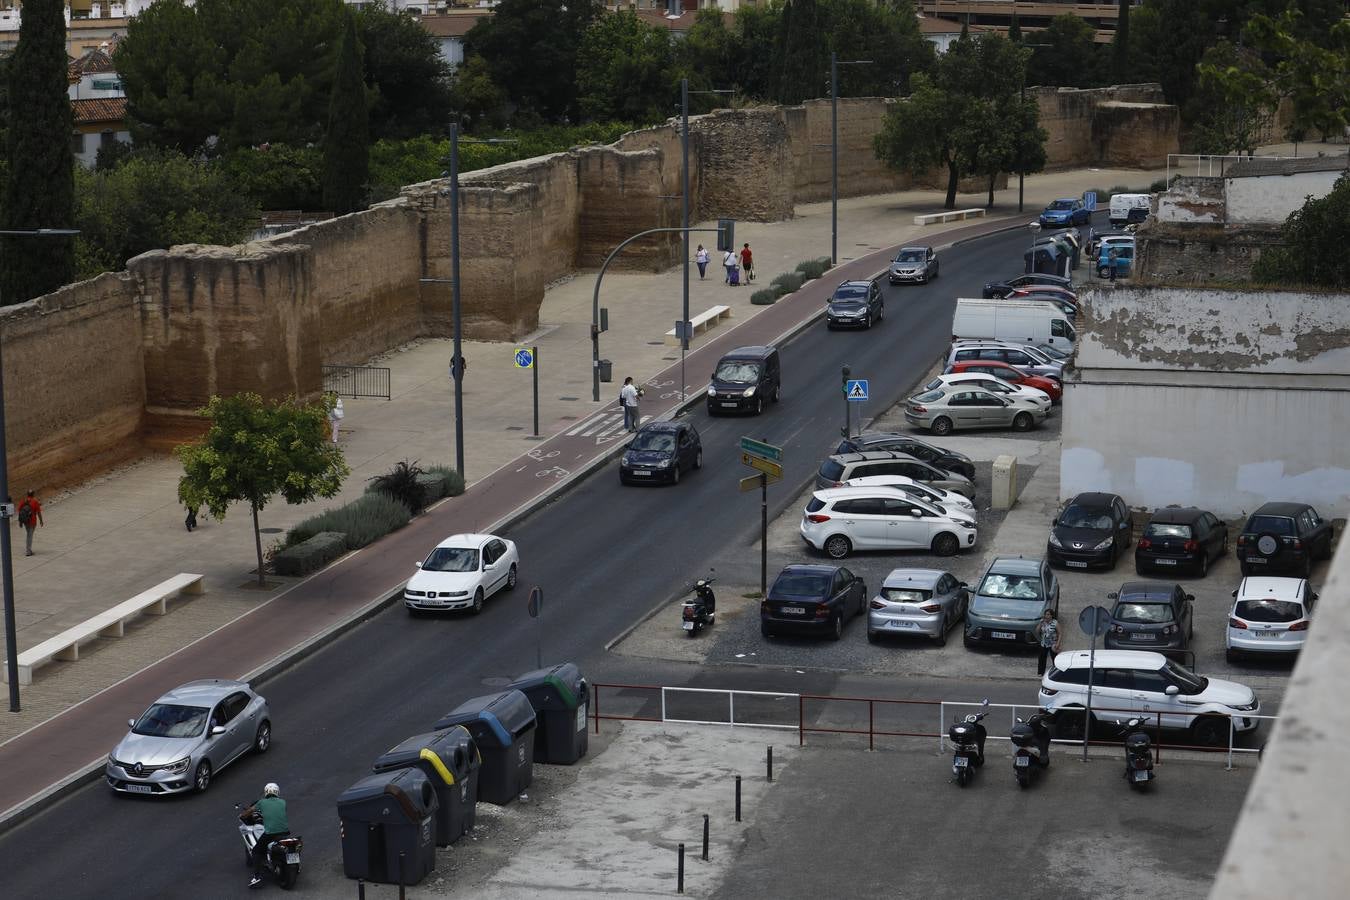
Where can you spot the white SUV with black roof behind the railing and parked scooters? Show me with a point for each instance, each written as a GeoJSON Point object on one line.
{"type": "Point", "coordinates": [1139, 682]}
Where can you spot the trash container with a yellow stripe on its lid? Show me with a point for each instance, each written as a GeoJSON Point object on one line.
{"type": "Point", "coordinates": [450, 760]}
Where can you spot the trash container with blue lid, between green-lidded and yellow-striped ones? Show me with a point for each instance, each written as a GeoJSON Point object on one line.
{"type": "Point", "coordinates": [503, 727]}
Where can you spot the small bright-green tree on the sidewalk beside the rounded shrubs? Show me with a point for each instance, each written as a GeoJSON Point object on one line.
{"type": "Point", "coordinates": [256, 450]}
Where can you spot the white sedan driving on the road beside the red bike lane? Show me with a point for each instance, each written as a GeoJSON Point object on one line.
{"type": "Point", "coordinates": [464, 571]}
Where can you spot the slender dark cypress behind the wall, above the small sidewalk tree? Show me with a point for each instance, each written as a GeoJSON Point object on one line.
{"type": "Point", "coordinates": [348, 138]}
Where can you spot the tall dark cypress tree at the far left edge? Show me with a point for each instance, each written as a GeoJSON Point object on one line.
{"type": "Point", "coordinates": [41, 184]}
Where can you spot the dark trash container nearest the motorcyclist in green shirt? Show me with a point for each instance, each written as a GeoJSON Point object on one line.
{"type": "Point", "coordinates": [385, 817]}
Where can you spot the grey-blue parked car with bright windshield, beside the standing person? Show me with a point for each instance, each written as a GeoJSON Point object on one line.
{"type": "Point", "coordinates": [1009, 601]}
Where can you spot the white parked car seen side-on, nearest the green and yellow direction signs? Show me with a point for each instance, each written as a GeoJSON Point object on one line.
{"type": "Point", "coordinates": [842, 520]}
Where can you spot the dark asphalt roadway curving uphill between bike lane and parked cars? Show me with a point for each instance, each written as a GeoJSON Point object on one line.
{"type": "Point", "coordinates": [601, 554]}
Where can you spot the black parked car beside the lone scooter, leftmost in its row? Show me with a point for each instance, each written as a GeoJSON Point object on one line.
{"type": "Point", "coordinates": [815, 600]}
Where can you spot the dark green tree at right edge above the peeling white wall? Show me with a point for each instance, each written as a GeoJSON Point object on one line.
{"type": "Point", "coordinates": [1314, 241]}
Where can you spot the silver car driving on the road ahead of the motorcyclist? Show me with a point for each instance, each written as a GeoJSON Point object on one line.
{"type": "Point", "coordinates": [188, 736]}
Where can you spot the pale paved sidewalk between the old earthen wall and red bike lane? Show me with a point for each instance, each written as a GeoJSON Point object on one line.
{"type": "Point", "coordinates": [124, 532]}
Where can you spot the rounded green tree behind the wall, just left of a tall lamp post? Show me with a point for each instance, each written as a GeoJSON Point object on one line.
{"type": "Point", "coordinates": [626, 71]}
